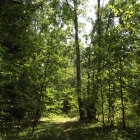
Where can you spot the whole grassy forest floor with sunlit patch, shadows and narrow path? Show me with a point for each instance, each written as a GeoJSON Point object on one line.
{"type": "Point", "coordinates": [60, 128]}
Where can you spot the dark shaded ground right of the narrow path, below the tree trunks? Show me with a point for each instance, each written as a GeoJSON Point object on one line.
{"type": "Point", "coordinates": [86, 131]}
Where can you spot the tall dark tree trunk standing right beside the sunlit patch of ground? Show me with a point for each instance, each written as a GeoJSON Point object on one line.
{"type": "Point", "coordinates": [78, 61]}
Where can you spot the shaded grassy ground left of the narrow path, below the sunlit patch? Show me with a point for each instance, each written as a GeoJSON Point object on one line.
{"type": "Point", "coordinates": [44, 131]}
